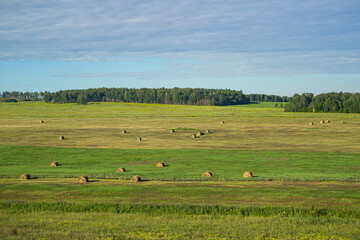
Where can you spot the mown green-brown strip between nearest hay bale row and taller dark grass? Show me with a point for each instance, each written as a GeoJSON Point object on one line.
{"type": "Point", "coordinates": [329, 195]}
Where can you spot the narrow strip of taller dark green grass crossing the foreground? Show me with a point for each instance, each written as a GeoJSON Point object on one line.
{"type": "Point", "coordinates": [17, 206]}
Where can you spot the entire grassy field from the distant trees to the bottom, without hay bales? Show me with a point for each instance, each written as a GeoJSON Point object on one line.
{"type": "Point", "coordinates": [306, 183]}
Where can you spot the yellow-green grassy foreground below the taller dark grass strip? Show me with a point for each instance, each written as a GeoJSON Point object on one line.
{"type": "Point", "coordinates": [55, 225]}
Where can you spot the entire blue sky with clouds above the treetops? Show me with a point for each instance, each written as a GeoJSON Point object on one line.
{"type": "Point", "coordinates": [271, 47]}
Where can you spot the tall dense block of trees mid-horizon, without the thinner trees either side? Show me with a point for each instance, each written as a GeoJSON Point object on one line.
{"type": "Point", "coordinates": [187, 96]}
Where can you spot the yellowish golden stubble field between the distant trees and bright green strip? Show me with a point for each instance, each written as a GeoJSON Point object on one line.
{"type": "Point", "coordinates": [251, 127]}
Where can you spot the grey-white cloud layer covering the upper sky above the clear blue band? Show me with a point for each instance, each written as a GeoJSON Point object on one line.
{"type": "Point", "coordinates": [92, 29]}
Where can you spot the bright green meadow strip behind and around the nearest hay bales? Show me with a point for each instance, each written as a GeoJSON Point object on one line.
{"type": "Point", "coordinates": [181, 164]}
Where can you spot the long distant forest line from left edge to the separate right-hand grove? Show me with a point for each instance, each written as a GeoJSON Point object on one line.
{"type": "Point", "coordinates": [189, 96]}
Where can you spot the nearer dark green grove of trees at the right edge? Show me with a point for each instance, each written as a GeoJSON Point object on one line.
{"type": "Point", "coordinates": [326, 102]}
